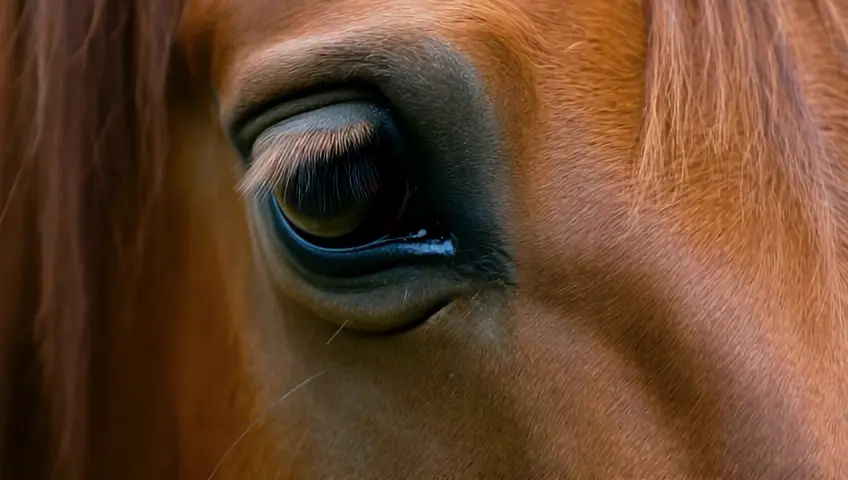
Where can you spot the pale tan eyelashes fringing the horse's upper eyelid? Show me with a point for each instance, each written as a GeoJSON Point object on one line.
{"type": "Point", "coordinates": [280, 158]}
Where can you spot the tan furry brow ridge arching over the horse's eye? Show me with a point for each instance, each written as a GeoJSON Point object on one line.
{"type": "Point", "coordinates": [357, 55]}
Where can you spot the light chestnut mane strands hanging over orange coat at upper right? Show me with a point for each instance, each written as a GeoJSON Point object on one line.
{"type": "Point", "coordinates": [727, 122]}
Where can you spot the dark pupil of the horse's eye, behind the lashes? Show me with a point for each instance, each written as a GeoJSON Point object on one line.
{"type": "Point", "coordinates": [329, 187]}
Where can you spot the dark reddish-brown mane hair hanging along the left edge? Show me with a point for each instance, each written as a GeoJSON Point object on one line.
{"type": "Point", "coordinates": [82, 136]}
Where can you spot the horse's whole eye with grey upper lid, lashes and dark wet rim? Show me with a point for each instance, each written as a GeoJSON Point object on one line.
{"type": "Point", "coordinates": [342, 191]}
